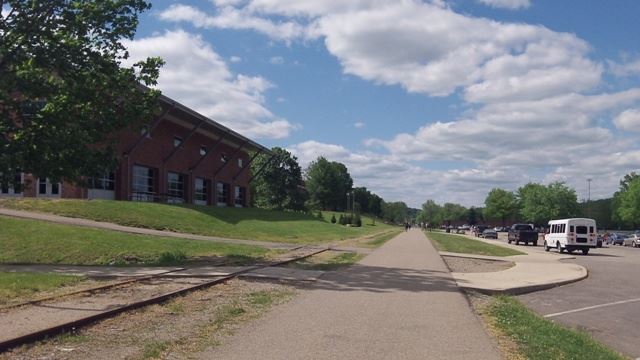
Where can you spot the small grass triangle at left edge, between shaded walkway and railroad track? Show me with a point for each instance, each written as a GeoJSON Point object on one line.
{"type": "Point", "coordinates": [14, 285]}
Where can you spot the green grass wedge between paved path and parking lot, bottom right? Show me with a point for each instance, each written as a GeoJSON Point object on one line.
{"type": "Point", "coordinates": [538, 338]}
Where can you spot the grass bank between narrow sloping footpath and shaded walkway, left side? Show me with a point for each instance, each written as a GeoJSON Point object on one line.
{"type": "Point", "coordinates": [37, 242]}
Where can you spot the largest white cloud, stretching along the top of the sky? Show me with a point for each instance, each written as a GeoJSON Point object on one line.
{"type": "Point", "coordinates": [391, 43]}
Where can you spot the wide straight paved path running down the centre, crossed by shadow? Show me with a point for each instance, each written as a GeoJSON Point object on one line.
{"type": "Point", "coordinates": [400, 302]}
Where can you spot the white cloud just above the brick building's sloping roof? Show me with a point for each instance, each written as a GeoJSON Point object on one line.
{"type": "Point", "coordinates": [197, 76]}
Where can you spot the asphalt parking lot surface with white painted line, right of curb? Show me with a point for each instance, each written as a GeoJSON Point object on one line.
{"type": "Point", "coordinates": [606, 304]}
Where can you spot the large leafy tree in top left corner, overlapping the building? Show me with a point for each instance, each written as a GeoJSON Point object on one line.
{"type": "Point", "coordinates": [63, 88]}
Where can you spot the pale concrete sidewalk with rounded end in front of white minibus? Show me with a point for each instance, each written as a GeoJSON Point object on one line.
{"type": "Point", "coordinates": [535, 271]}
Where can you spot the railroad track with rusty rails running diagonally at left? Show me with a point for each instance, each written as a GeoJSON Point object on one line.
{"type": "Point", "coordinates": [71, 311]}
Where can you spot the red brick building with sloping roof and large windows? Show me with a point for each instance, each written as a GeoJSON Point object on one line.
{"type": "Point", "coordinates": [179, 157]}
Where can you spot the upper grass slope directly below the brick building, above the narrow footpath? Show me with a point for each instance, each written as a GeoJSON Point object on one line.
{"type": "Point", "coordinates": [241, 223]}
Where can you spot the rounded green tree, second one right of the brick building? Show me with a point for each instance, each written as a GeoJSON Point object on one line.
{"type": "Point", "coordinates": [328, 184]}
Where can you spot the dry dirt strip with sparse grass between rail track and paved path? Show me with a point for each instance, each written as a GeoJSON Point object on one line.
{"type": "Point", "coordinates": [176, 329]}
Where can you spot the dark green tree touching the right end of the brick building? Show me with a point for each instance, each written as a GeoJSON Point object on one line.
{"type": "Point", "coordinates": [279, 185]}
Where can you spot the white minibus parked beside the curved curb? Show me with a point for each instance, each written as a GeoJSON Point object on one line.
{"type": "Point", "coordinates": [571, 234]}
